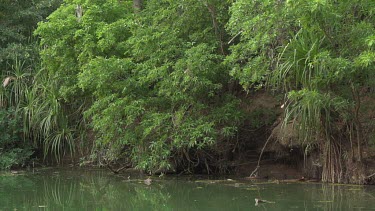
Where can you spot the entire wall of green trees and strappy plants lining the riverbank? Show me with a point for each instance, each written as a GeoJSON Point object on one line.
{"type": "Point", "coordinates": [156, 85]}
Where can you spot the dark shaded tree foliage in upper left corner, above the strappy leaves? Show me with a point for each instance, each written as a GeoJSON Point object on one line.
{"type": "Point", "coordinates": [18, 21]}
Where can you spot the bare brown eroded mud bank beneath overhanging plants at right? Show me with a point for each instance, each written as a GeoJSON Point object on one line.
{"type": "Point", "coordinates": [285, 163]}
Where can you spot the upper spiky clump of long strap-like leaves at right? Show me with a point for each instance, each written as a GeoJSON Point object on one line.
{"type": "Point", "coordinates": [305, 62]}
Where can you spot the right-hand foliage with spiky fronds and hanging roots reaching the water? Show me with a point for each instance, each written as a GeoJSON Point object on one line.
{"type": "Point", "coordinates": [321, 54]}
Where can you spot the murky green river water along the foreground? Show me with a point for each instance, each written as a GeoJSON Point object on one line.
{"type": "Point", "coordinates": [67, 189]}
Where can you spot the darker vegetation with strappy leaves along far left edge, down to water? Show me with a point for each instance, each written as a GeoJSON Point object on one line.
{"type": "Point", "coordinates": [19, 61]}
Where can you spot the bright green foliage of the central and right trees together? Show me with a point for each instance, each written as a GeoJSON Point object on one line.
{"type": "Point", "coordinates": [154, 83]}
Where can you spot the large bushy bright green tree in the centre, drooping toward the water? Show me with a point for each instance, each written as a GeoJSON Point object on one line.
{"type": "Point", "coordinates": [156, 77]}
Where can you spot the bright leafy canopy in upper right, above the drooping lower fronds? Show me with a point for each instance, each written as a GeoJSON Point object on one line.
{"type": "Point", "coordinates": [323, 32]}
